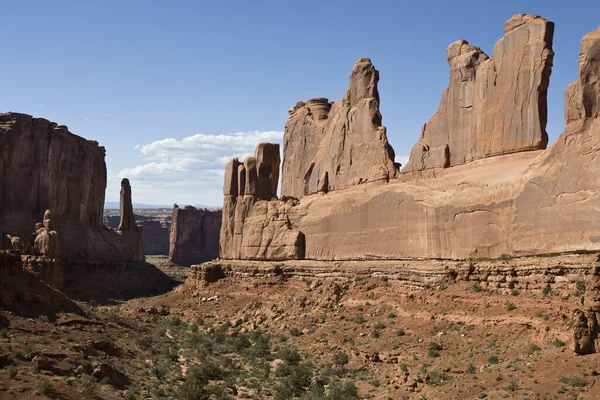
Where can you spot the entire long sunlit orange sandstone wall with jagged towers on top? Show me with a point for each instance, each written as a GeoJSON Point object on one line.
{"type": "Point", "coordinates": [479, 183]}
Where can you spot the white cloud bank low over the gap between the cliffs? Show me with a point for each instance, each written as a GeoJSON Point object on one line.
{"type": "Point", "coordinates": [189, 170]}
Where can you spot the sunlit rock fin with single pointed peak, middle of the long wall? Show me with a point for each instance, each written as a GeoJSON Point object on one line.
{"type": "Point", "coordinates": [331, 146]}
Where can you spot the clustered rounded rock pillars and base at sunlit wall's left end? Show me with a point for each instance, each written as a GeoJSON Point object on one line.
{"type": "Point", "coordinates": [255, 223]}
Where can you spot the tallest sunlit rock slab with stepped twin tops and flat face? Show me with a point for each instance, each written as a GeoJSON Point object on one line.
{"type": "Point", "coordinates": [492, 106]}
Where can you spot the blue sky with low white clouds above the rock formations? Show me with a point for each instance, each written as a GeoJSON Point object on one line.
{"type": "Point", "coordinates": [217, 77]}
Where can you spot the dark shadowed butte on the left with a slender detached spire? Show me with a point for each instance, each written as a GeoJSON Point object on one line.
{"type": "Point", "coordinates": [49, 174]}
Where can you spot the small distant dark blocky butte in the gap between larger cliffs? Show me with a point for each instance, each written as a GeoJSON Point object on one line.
{"type": "Point", "coordinates": [194, 236]}
